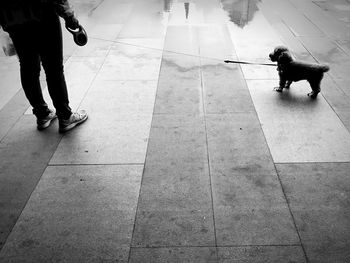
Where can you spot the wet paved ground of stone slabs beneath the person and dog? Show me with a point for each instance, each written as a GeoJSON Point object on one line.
{"type": "Point", "coordinates": [184, 158]}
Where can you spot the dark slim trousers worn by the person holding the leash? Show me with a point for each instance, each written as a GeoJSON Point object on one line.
{"type": "Point", "coordinates": [37, 42]}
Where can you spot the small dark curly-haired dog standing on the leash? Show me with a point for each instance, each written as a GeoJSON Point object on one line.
{"type": "Point", "coordinates": [290, 70]}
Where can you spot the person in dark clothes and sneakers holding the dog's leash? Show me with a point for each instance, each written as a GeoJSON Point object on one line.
{"type": "Point", "coordinates": [35, 30]}
